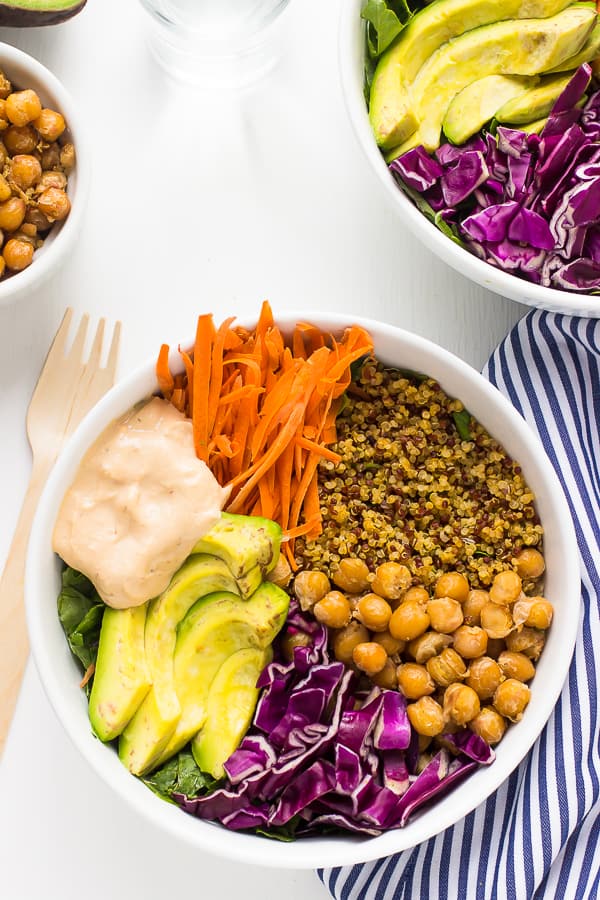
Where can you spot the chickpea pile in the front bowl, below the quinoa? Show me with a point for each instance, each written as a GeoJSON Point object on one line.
{"type": "Point", "coordinates": [461, 657]}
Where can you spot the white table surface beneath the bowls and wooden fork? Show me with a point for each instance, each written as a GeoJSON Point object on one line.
{"type": "Point", "coordinates": [196, 205]}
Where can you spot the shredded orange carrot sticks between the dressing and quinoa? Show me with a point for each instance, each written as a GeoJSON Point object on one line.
{"type": "Point", "coordinates": [263, 412]}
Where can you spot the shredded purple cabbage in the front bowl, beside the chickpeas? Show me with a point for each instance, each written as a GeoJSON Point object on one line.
{"type": "Point", "coordinates": [323, 754]}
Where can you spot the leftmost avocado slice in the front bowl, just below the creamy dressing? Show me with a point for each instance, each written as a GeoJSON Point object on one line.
{"type": "Point", "coordinates": [121, 676]}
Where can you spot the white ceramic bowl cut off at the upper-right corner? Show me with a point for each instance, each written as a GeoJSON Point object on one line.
{"type": "Point", "coordinates": [351, 53]}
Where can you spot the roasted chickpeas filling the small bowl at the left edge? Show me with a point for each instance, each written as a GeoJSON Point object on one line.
{"type": "Point", "coordinates": [35, 161]}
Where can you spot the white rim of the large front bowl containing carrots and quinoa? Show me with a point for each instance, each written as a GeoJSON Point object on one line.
{"type": "Point", "coordinates": [310, 852]}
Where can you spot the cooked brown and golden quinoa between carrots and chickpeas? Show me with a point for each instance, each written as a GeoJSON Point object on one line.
{"type": "Point", "coordinates": [409, 489]}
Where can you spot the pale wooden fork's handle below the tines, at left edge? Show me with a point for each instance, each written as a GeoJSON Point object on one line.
{"type": "Point", "coordinates": [14, 644]}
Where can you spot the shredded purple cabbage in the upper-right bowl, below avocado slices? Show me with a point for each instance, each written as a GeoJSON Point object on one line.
{"type": "Point", "coordinates": [526, 203]}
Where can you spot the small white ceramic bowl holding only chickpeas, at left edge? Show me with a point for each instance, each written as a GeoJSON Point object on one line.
{"type": "Point", "coordinates": [26, 72]}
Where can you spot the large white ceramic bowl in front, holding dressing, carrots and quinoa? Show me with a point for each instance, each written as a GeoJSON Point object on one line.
{"type": "Point", "coordinates": [60, 675]}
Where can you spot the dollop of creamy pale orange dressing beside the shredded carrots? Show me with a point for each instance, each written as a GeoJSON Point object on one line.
{"type": "Point", "coordinates": [140, 501]}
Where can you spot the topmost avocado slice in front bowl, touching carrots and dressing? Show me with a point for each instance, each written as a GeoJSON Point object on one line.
{"type": "Point", "coordinates": [248, 544]}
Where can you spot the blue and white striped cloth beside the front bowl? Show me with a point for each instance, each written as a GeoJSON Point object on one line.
{"type": "Point", "coordinates": [539, 834]}
